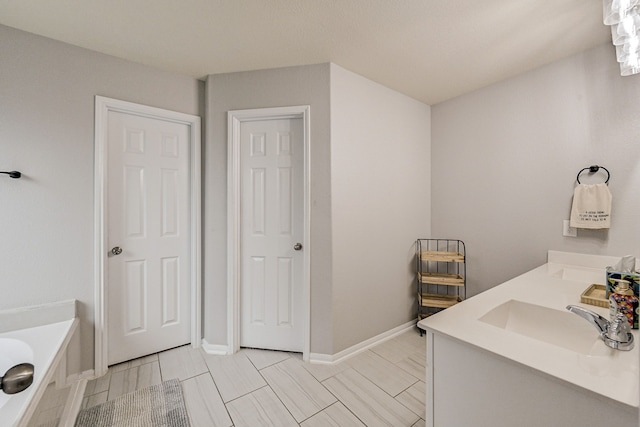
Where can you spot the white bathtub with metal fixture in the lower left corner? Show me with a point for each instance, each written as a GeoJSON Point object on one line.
{"type": "Point", "coordinates": [42, 345]}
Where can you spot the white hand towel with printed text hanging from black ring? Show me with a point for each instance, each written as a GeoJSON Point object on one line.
{"type": "Point", "coordinates": [591, 206]}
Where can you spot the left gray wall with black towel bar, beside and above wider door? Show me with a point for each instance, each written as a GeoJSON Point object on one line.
{"type": "Point", "coordinates": [47, 91]}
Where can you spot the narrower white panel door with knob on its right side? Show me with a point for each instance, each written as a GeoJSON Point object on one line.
{"type": "Point", "coordinates": [272, 219]}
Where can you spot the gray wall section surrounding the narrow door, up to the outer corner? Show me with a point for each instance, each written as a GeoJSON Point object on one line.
{"type": "Point", "coordinates": [307, 85]}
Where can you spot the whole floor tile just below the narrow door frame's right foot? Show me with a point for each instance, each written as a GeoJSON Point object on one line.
{"type": "Point", "coordinates": [300, 392]}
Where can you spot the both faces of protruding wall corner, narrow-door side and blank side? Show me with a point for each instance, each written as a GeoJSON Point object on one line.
{"type": "Point", "coordinates": [369, 197]}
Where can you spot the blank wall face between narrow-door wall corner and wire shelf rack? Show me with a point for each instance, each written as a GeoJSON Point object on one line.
{"type": "Point", "coordinates": [380, 204]}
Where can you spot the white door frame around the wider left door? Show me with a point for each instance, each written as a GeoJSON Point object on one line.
{"type": "Point", "coordinates": [102, 108]}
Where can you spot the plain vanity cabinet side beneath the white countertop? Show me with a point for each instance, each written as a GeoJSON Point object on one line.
{"type": "Point", "coordinates": [468, 386]}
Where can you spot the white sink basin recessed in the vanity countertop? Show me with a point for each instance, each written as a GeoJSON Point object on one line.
{"type": "Point", "coordinates": [559, 328]}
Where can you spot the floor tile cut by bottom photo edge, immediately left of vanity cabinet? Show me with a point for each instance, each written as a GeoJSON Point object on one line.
{"type": "Point", "coordinates": [368, 402]}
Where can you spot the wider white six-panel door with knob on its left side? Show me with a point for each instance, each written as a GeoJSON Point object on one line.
{"type": "Point", "coordinates": [148, 287]}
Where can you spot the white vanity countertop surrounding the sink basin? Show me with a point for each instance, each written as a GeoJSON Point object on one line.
{"type": "Point", "coordinates": [602, 370]}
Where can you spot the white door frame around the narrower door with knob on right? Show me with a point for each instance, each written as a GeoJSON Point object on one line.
{"type": "Point", "coordinates": [234, 120]}
